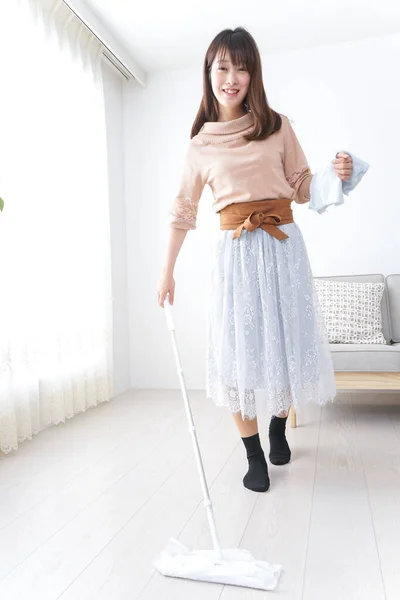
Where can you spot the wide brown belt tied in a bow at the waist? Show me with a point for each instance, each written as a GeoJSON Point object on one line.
{"type": "Point", "coordinates": [266, 214]}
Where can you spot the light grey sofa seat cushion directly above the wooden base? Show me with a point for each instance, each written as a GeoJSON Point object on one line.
{"type": "Point", "coordinates": [366, 357]}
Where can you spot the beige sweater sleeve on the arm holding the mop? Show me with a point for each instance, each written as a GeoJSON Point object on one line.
{"type": "Point", "coordinates": [183, 211]}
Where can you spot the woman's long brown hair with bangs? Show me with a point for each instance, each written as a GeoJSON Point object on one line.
{"type": "Point", "coordinates": [244, 52]}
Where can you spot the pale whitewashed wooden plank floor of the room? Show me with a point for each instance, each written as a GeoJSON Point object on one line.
{"type": "Point", "coordinates": [86, 506]}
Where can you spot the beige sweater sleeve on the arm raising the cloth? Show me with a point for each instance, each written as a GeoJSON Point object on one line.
{"type": "Point", "coordinates": [295, 165]}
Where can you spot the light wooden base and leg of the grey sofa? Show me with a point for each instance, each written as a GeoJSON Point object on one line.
{"type": "Point", "coordinates": [361, 381]}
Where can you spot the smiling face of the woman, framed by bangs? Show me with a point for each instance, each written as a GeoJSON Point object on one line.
{"type": "Point", "coordinates": [225, 76]}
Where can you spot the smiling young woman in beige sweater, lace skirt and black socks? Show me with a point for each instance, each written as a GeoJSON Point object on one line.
{"type": "Point", "coordinates": [266, 332]}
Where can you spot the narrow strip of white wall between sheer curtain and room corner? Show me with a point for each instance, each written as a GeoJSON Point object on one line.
{"type": "Point", "coordinates": [113, 89]}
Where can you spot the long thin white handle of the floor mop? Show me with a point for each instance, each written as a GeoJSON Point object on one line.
{"type": "Point", "coordinates": [206, 495]}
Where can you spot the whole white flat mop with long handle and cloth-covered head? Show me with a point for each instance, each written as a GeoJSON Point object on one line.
{"type": "Point", "coordinates": [232, 567]}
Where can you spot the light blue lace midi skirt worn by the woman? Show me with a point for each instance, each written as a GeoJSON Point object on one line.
{"type": "Point", "coordinates": [266, 332]}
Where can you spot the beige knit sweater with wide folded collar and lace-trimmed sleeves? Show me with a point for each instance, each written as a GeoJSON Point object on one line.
{"type": "Point", "coordinates": [238, 170]}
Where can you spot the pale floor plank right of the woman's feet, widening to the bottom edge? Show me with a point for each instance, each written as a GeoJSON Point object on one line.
{"type": "Point", "coordinates": [342, 558]}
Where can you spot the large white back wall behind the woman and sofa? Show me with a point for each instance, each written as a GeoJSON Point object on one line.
{"type": "Point", "coordinates": [340, 97]}
